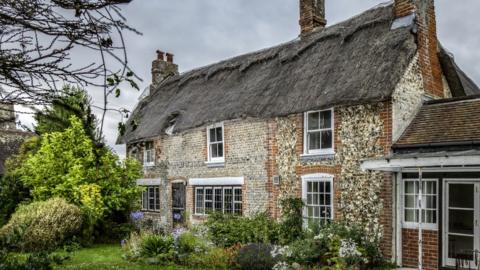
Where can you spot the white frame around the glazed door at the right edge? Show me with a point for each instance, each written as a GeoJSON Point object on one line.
{"type": "Point", "coordinates": [476, 230]}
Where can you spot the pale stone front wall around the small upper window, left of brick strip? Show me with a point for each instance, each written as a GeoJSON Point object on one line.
{"type": "Point", "coordinates": [183, 156]}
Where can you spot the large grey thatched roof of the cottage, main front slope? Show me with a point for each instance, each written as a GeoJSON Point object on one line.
{"type": "Point", "coordinates": [357, 61]}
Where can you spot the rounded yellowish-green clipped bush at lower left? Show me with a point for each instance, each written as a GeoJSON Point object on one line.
{"type": "Point", "coordinates": [41, 226]}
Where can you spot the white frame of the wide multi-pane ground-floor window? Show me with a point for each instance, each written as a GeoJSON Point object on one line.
{"type": "Point", "coordinates": [222, 188]}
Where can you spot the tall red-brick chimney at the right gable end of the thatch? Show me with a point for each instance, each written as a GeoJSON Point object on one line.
{"type": "Point", "coordinates": [427, 41]}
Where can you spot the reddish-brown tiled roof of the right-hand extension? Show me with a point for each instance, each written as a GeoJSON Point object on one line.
{"type": "Point", "coordinates": [452, 121]}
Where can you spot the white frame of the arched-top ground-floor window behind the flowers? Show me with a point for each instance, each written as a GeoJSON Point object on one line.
{"type": "Point", "coordinates": [320, 178]}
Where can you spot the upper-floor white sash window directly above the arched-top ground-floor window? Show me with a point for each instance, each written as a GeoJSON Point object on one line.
{"type": "Point", "coordinates": [318, 138]}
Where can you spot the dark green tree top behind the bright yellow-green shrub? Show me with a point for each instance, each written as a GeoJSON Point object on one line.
{"type": "Point", "coordinates": [71, 101]}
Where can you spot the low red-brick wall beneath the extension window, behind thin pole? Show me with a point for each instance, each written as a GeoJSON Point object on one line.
{"type": "Point", "coordinates": [410, 248]}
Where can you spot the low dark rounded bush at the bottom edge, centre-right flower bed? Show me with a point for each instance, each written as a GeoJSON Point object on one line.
{"type": "Point", "coordinates": [255, 257]}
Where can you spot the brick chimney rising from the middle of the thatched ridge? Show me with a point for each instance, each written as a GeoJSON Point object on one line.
{"type": "Point", "coordinates": [312, 15]}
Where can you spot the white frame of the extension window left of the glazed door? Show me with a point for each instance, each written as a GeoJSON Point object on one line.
{"type": "Point", "coordinates": [414, 225]}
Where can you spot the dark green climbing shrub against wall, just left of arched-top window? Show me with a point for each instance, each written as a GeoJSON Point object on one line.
{"type": "Point", "coordinates": [291, 227]}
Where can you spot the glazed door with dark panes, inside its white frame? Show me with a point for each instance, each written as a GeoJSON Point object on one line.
{"type": "Point", "coordinates": [461, 220]}
